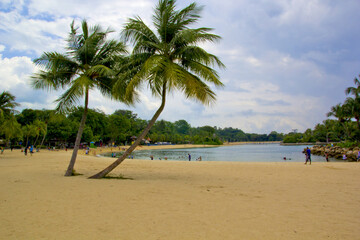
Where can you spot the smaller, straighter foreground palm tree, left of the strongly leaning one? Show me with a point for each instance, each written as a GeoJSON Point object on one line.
{"type": "Point", "coordinates": [87, 64]}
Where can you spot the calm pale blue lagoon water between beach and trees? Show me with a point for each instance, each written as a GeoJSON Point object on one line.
{"type": "Point", "coordinates": [237, 153]}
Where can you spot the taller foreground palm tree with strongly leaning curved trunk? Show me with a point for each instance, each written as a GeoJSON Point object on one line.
{"type": "Point", "coordinates": [170, 60]}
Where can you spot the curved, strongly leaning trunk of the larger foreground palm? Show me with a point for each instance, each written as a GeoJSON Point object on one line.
{"type": "Point", "coordinates": [117, 162]}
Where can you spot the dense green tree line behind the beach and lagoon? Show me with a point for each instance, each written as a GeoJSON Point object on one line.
{"type": "Point", "coordinates": [49, 128]}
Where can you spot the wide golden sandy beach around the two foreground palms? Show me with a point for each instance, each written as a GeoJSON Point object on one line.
{"type": "Point", "coordinates": [176, 200]}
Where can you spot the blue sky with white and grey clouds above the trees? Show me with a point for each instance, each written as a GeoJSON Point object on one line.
{"type": "Point", "coordinates": [287, 61]}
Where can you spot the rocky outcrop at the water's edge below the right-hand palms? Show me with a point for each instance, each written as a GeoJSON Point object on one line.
{"type": "Point", "coordinates": [336, 152]}
